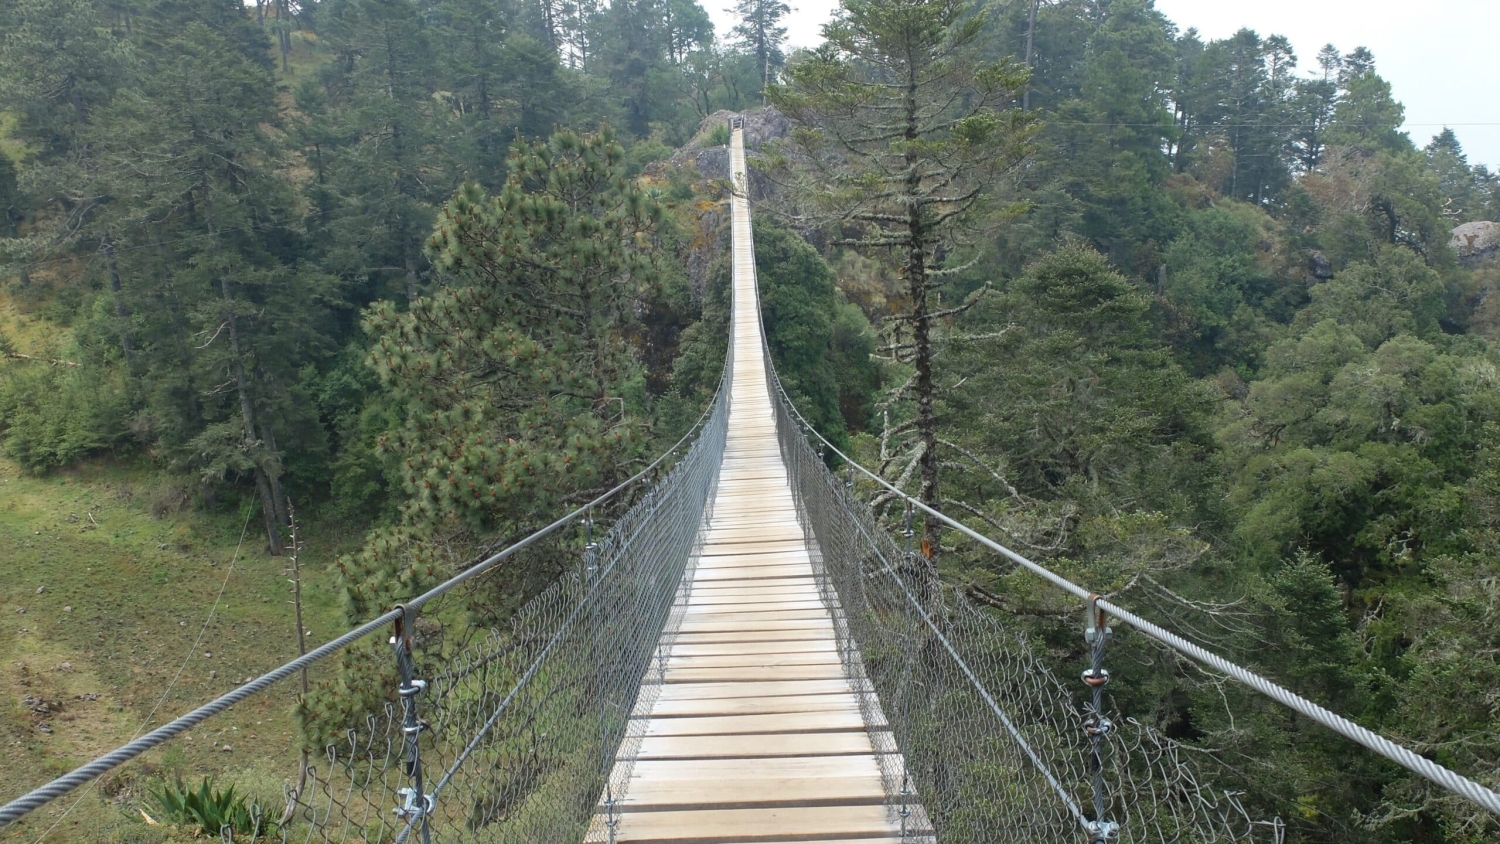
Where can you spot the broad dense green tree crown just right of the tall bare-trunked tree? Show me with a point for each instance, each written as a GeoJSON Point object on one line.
{"type": "Point", "coordinates": [1088, 410]}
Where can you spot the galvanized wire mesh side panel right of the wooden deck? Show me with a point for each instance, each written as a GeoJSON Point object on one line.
{"type": "Point", "coordinates": [997, 747]}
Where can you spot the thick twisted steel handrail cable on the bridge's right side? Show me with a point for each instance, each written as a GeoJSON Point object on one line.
{"type": "Point", "coordinates": [1445, 777]}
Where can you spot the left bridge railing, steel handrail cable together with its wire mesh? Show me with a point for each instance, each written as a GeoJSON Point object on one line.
{"type": "Point", "coordinates": [514, 738]}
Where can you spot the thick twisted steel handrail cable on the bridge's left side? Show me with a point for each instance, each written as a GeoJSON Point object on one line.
{"type": "Point", "coordinates": [67, 783]}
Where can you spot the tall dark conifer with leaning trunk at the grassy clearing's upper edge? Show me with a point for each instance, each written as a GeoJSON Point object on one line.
{"type": "Point", "coordinates": [194, 224]}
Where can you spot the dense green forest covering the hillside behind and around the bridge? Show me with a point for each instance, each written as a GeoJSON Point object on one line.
{"type": "Point", "coordinates": [1184, 319]}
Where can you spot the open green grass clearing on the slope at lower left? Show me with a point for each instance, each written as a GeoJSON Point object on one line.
{"type": "Point", "coordinates": [140, 590]}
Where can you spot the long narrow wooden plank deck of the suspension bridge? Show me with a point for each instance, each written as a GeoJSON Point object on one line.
{"type": "Point", "coordinates": [757, 734]}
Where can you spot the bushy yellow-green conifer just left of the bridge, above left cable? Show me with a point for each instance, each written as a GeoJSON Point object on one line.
{"type": "Point", "coordinates": [520, 391]}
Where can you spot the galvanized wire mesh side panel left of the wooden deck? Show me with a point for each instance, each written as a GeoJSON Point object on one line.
{"type": "Point", "coordinates": [521, 729]}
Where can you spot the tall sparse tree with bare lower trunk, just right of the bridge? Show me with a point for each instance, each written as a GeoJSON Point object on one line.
{"type": "Point", "coordinates": [904, 133]}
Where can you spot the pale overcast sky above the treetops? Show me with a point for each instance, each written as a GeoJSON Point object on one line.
{"type": "Point", "coordinates": [1439, 56]}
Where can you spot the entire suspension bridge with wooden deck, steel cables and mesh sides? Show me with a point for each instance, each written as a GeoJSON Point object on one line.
{"type": "Point", "coordinates": [748, 656]}
